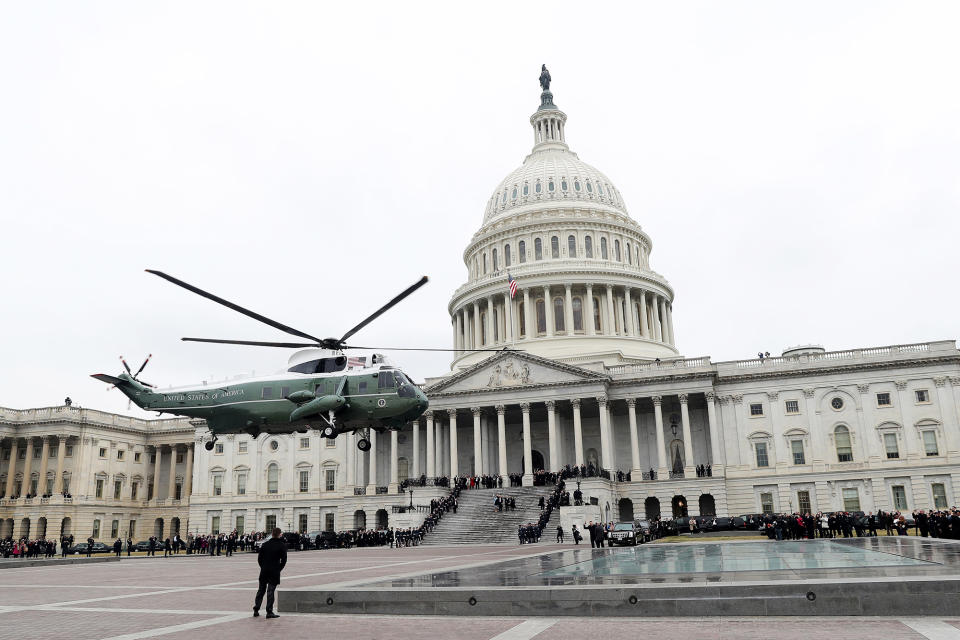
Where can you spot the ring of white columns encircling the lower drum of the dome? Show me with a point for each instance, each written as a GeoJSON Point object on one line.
{"type": "Point", "coordinates": [495, 320]}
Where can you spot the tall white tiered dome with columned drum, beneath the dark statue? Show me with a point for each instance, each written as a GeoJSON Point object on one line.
{"type": "Point", "coordinates": [585, 291]}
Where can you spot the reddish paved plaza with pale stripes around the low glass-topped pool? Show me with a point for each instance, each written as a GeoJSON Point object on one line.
{"type": "Point", "coordinates": [211, 597]}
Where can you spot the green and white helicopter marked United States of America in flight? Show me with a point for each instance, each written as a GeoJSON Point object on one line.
{"type": "Point", "coordinates": [321, 389]}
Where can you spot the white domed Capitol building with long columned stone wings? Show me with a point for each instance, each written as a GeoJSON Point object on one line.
{"type": "Point", "coordinates": [586, 371]}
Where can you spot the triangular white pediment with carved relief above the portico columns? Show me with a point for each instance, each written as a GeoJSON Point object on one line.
{"type": "Point", "coordinates": [512, 369]}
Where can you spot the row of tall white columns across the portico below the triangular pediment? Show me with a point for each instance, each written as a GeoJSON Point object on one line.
{"type": "Point", "coordinates": [441, 439]}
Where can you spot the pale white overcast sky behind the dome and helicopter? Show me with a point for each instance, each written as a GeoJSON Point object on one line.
{"type": "Point", "coordinates": [795, 164]}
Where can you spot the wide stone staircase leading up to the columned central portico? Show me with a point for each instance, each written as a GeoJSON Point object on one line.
{"type": "Point", "coordinates": [476, 521]}
